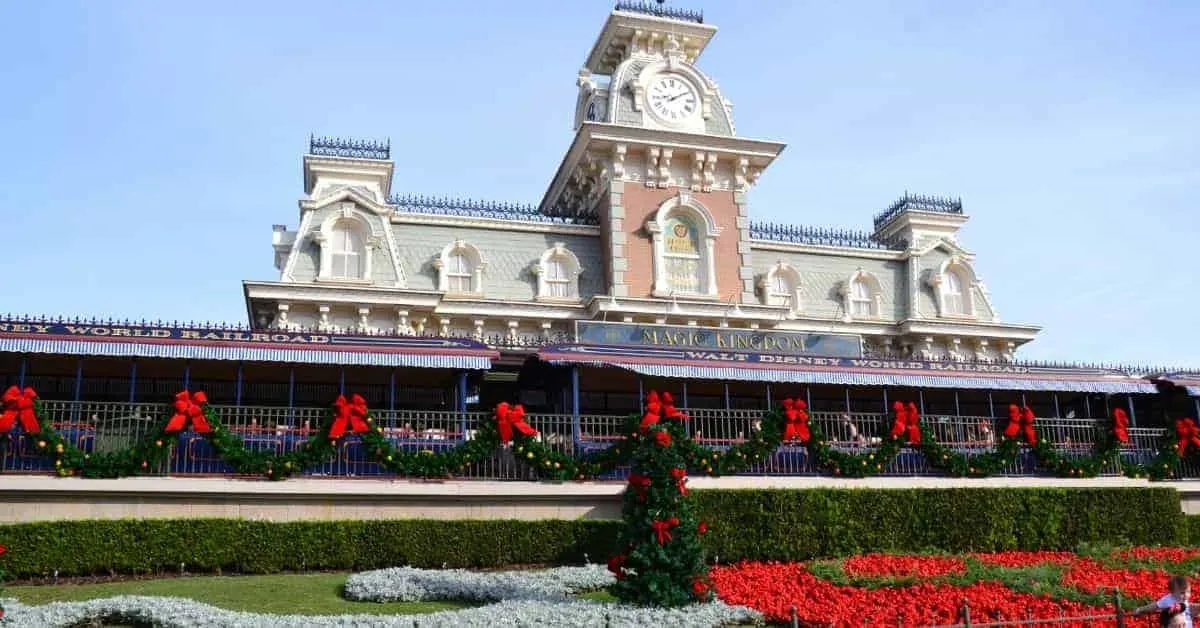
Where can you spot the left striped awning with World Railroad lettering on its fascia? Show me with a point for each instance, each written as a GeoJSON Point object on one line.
{"type": "Point", "coordinates": [248, 346]}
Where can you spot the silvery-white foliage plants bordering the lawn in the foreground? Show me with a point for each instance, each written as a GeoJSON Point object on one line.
{"type": "Point", "coordinates": [521, 599]}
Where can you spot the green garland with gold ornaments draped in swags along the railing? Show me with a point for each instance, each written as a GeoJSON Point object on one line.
{"type": "Point", "coordinates": [152, 452]}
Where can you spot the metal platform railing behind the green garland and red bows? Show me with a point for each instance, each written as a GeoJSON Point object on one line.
{"type": "Point", "coordinates": [110, 427]}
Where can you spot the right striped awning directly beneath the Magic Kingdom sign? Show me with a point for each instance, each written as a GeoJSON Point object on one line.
{"type": "Point", "coordinates": [847, 372]}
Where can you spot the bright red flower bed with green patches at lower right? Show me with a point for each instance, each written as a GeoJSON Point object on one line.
{"type": "Point", "coordinates": [890, 590]}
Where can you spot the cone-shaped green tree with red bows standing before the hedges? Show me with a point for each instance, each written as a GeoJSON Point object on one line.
{"type": "Point", "coordinates": [664, 563]}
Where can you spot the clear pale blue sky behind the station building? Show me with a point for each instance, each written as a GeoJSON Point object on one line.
{"type": "Point", "coordinates": [149, 147]}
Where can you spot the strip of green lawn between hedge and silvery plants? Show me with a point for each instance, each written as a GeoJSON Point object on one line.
{"type": "Point", "coordinates": [289, 594]}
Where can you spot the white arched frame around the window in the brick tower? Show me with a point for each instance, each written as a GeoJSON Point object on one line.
{"type": "Point", "coordinates": [706, 235]}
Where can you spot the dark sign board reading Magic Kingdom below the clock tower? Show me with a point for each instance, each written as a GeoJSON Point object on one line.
{"type": "Point", "coordinates": [719, 339]}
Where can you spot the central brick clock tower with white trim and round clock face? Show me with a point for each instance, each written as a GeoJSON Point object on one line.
{"type": "Point", "coordinates": [657, 159]}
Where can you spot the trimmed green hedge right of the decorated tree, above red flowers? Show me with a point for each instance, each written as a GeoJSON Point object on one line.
{"type": "Point", "coordinates": [801, 525]}
